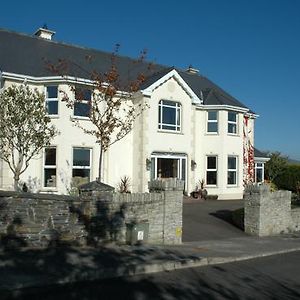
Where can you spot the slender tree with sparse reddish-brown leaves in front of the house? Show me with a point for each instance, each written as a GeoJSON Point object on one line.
{"type": "Point", "coordinates": [112, 108]}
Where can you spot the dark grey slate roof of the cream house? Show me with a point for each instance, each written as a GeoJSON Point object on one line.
{"type": "Point", "coordinates": [27, 55]}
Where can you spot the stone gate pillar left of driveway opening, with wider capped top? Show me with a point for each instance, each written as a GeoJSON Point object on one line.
{"type": "Point", "coordinates": [172, 190]}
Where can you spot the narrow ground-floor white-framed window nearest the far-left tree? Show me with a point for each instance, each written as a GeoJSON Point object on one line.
{"type": "Point", "coordinates": [49, 167]}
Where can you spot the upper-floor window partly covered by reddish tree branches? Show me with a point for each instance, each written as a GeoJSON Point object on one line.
{"type": "Point", "coordinates": [83, 97]}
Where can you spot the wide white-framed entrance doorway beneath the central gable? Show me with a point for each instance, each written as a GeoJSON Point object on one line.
{"type": "Point", "coordinates": [168, 166]}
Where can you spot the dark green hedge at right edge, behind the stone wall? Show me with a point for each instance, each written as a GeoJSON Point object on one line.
{"type": "Point", "coordinates": [289, 179]}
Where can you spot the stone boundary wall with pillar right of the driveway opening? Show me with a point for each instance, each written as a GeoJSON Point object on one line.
{"type": "Point", "coordinates": [269, 213]}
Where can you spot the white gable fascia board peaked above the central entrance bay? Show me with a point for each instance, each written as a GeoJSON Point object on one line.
{"type": "Point", "coordinates": [148, 91]}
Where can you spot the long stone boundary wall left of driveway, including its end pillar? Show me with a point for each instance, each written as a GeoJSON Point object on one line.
{"type": "Point", "coordinates": [101, 217]}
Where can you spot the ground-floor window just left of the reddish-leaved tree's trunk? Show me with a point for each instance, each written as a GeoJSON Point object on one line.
{"type": "Point", "coordinates": [82, 163]}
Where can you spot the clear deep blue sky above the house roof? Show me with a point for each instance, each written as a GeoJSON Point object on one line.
{"type": "Point", "coordinates": [250, 48]}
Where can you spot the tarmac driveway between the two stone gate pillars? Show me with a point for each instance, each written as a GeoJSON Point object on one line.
{"type": "Point", "coordinates": [210, 220]}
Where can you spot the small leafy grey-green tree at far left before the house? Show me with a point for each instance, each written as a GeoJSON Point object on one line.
{"type": "Point", "coordinates": [24, 127]}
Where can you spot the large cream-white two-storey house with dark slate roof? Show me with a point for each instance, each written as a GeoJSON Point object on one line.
{"type": "Point", "coordinates": [192, 130]}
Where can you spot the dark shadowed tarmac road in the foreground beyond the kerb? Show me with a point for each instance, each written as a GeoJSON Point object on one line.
{"type": "Point", "coordinates": [274, 277]}
